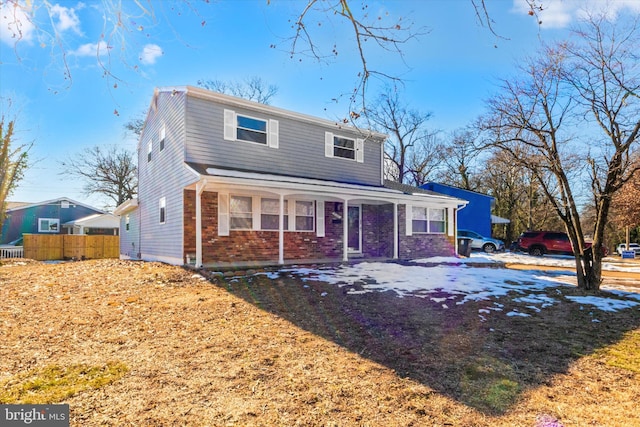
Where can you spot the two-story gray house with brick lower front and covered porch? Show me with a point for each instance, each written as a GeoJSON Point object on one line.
{"type": "Point", "coordinates": [226, 181]}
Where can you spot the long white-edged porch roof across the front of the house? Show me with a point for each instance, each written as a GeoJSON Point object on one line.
{"type": "Point", "coordinates": [289, 185]}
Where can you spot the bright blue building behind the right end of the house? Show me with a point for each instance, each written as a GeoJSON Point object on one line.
{"type": "Point", "coordinates": [476, 216]}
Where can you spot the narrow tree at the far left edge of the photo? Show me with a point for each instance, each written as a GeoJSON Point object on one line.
{"type": "Point", "coordinates": [13, 163]}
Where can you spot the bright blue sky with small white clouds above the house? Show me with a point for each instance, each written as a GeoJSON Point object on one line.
{"type": "Point", "coordinates": [449, 70]}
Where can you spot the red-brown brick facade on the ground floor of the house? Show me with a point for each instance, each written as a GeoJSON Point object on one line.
{"type": "Point", "coordinates": [262, 246]}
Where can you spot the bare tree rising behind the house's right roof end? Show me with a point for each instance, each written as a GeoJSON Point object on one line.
{"type": "Point", "coordinates": [410, 146]}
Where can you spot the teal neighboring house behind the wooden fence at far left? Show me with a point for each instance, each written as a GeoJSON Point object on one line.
{"type": "Point", "coordinates": [43, 218]}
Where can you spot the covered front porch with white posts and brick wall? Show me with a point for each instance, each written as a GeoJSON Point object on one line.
{"type": "Point", "coordinates": [251, 219]}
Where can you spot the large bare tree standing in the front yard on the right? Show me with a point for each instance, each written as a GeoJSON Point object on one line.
{"type": "Point", "coordinates": [591, 85]}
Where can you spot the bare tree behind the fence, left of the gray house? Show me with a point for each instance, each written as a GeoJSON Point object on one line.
{"type": "Point", "coordinates": [111, 172]}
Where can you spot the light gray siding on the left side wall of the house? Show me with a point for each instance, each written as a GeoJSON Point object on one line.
{"type": "Point", "coordinates": [164, 176]}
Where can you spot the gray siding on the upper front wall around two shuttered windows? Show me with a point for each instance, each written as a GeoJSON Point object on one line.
{"type": "Point", "coordinates": [301, 150]}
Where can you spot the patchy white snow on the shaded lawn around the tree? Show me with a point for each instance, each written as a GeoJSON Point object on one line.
{"type": "Point", "coordinates": [465, 279]}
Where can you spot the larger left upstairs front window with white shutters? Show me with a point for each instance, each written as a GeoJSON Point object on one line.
{"type": "Point", "coordinates": [239, 127]}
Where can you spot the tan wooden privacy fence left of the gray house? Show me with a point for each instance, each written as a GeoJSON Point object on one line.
{"type": "Point", "coordinates": [43, 247]}
